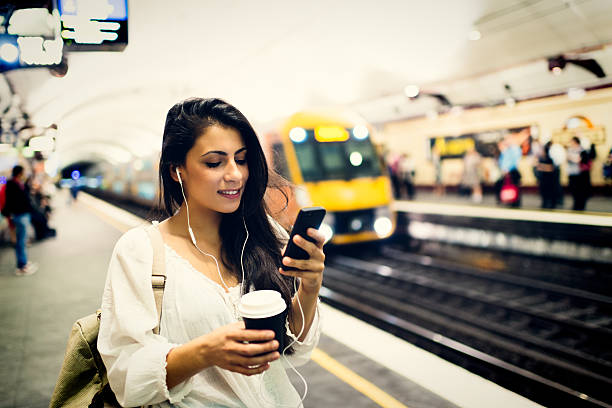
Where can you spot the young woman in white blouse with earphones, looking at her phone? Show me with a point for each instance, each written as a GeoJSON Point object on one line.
{"type": "Point", "coordinates": [213, 176]}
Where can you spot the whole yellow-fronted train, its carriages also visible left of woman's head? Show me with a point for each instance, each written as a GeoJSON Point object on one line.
{"type": "Point", "coordinates": [329, 158]}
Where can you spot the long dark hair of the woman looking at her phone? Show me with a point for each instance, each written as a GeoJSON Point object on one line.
{"type": "Point", "coordinates": [185, 122]}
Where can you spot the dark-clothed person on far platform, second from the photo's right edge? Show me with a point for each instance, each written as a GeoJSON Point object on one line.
{"type": "Point", "coordinates": [579, 172]}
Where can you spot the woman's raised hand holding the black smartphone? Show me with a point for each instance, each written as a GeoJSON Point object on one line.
{"type": "Point", "coordinates": [310, 270]}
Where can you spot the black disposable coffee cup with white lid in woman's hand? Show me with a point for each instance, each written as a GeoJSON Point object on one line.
{"type": "Point", "coordinates": [265, 310]}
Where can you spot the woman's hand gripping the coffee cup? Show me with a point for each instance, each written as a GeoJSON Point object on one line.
{"type": "Point", "coordinates": [225, 347]}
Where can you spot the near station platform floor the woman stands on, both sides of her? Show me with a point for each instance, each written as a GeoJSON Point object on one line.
{"type": "Point", "coordinates": [355, 365]}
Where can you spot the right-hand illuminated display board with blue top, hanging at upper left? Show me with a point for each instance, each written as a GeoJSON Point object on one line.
{"type": "Point", "coordinates": [94, 25]}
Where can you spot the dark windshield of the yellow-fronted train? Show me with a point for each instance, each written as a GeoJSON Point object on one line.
{"type": "Point", "coordinates": [345, 160]}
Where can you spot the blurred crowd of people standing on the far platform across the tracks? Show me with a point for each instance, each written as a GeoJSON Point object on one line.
{"type": "Point", "coordinates": [546, 159]}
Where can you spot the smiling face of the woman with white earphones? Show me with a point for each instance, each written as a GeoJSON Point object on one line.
{"type": "Point", "coordinates": [215, 171]}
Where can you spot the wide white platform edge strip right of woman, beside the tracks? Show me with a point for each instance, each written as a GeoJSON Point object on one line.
{"type": "Point", "coordinates": [445, 379]}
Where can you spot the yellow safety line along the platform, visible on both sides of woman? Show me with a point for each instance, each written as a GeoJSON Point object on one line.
{"type": "Point", "coordinates": [318, 356]}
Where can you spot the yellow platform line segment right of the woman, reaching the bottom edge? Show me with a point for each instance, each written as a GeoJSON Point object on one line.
{"type": "Point", "coordinates": [356, 381]}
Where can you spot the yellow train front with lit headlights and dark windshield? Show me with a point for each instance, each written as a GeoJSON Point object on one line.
{"type": "Point", "coordinates": [332, 161]}
